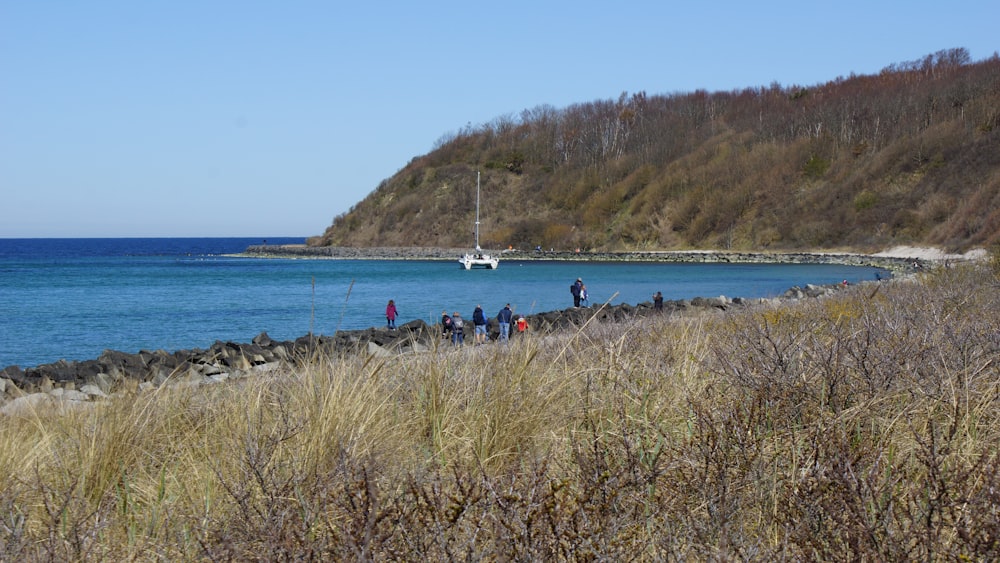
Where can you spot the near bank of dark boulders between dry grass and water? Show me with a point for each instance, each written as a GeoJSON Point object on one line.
{"type": "Point", "coordinates": [72, 384]}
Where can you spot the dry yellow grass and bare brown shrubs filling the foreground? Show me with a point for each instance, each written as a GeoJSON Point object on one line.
{"type": "Point", "coordinates": [861, 426]}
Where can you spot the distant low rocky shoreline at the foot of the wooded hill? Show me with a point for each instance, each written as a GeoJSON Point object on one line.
{"type": "Point", "coordinates": [888, 261]}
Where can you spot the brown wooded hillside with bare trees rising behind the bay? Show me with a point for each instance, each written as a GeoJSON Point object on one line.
{"type": "Point", "coordinates": [910, 155]}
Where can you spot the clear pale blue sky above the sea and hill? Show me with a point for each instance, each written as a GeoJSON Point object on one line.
{"type": "Point", "coordinates": [248, 118]}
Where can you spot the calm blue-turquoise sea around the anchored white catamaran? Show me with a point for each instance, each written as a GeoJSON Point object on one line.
{"type": "Point", "coordinates": [71, 299]}
